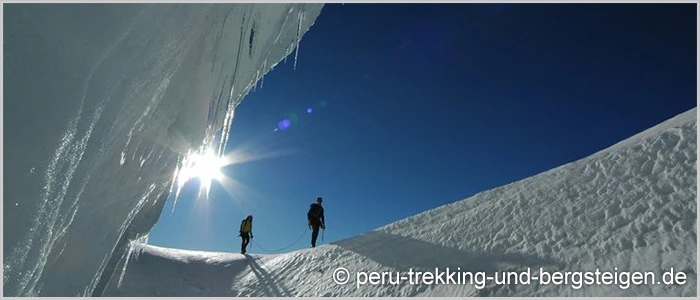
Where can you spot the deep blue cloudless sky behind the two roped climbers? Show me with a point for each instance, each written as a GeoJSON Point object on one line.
{"type": "Point", "coordinates": [419, 105]}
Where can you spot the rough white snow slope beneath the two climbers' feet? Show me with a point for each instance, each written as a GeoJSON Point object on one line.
{"type": "Point", "coordinates": [631, 207]}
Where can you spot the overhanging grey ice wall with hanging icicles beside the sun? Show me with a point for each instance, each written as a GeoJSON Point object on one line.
{"type": "Point", "coordinates": [101, 102]}
